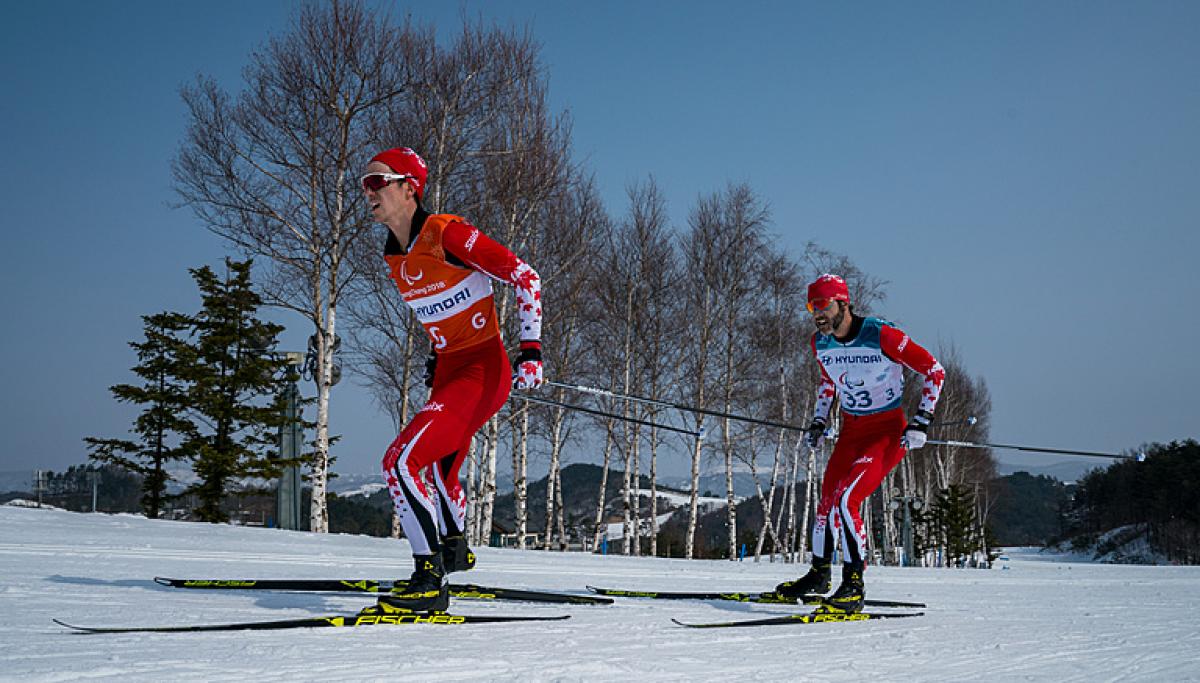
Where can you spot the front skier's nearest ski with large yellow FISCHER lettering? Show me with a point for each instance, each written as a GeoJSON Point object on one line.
{"type": "Point", "coordinates": [339, 621]}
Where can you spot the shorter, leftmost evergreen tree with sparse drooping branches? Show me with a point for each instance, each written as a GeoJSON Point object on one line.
{"type": "Point", "coordinates": [164, 433]}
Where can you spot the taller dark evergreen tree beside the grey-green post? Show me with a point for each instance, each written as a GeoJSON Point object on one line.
{"type": "Point", "coordinates": [233, 387]}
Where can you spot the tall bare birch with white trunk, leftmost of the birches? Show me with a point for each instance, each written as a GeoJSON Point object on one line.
{"type": "Point", "coordinates": [274, 170]}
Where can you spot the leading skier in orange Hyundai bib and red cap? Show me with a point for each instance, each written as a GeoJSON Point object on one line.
{"type": "Point", "coordinates": [443, 268]}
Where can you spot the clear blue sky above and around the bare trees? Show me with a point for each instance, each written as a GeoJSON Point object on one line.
{"type": "Point", "coordinates": [1025, 175]}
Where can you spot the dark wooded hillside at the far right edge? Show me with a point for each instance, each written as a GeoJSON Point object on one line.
{"type": "Point", "coordinates": [1161, 495]}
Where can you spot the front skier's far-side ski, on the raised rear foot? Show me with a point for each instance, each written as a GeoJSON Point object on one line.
{"type": "Point", "coordinates": [470, 591]}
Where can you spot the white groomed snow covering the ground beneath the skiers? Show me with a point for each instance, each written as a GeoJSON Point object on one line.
{"type": "Point", "coordinates": [1045, 619]}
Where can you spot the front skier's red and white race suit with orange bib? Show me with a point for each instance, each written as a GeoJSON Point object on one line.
{"type": "Point", "coordinates": [446, 277]}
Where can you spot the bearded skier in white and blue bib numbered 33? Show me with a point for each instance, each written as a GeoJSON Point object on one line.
{"type": "Point", "coordinates": [862, 362]}
